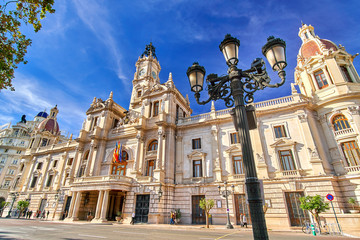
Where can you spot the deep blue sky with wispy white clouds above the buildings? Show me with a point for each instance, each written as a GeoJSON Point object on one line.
{"type": "Point", "coordinates": [89, 48]}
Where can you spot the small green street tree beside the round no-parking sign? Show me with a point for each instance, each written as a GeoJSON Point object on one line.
{"type": "Point", "coordinates": [315, 205]}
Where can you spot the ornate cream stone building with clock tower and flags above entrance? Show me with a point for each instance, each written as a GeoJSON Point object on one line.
{"type": "Point", "coordinates": [304, 144]}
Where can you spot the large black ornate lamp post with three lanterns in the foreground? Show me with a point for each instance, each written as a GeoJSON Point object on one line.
{"type": "Point", "coordinates": [237, 88]}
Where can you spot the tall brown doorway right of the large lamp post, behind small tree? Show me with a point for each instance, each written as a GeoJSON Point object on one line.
{"type": "Point", "coordinates": [296, 214]}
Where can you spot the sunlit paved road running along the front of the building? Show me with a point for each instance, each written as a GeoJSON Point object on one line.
{"type": "Point", "coordinates": [48, 230]}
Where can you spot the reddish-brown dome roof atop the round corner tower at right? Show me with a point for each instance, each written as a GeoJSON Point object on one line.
{"type": "Point", "coordinates": [312, 47]}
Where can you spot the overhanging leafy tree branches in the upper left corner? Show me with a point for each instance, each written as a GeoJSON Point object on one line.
{"type": "Point", "coordinates": [13, 43]}
